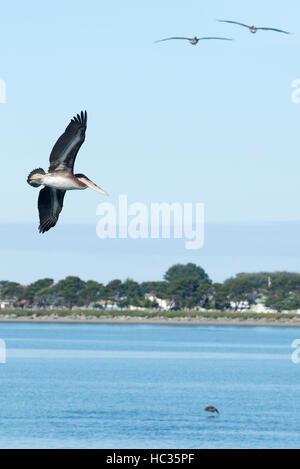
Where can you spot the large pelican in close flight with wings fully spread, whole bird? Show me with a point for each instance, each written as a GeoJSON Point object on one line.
{"type": "Point", "coordinates": [60, 177]}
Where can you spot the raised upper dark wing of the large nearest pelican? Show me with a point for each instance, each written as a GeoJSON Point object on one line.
{"type": "Point", "coordinates": [64, 152]}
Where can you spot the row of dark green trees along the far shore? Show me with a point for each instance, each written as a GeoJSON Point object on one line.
{"type": "Point", "coordinates": [185, 286]}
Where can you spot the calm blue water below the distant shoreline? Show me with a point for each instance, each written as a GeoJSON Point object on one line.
{"type": "Point", "coordinates": [146, 386]}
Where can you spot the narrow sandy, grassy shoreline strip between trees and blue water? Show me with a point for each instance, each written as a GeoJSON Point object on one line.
{"type": "Point", "coordinates": [160, 320]}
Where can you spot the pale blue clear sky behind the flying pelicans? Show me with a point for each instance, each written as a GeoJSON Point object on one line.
{"type": "Point", "coordinates": [169, 122]}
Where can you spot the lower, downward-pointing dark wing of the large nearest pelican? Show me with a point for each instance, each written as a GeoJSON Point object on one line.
{"type": "Point", "coordinates": [50, 204]}
